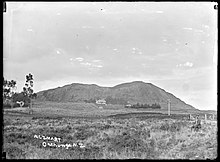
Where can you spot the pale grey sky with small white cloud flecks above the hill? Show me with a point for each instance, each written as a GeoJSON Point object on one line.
{"type": "Point", "coordinates": [172, 45]}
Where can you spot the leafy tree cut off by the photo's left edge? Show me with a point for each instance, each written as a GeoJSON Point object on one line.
{"type": "Point", "coordinates": [9, 88]}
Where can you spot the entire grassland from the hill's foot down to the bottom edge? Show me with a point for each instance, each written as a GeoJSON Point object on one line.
{"type": "Point", "coordinates": [107, 133]}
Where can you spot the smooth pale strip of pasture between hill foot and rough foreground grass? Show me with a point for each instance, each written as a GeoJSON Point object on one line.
{"type": "Point", "coordinates": [69, 109]}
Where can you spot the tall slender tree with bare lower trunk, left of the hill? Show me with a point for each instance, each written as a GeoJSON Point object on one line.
{"type": "Point", "coordinates": [28, 89]}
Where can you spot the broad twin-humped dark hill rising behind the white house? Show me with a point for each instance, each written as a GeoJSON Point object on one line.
{"type": "Point", "coordinates": [133, 92]}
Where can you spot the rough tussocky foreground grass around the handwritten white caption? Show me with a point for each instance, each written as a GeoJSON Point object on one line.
{"type": "Point", "coordinates": [109, 138]}
